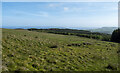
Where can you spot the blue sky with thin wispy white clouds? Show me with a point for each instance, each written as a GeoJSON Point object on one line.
{"type": "Point", "coordinates": [60, 14]}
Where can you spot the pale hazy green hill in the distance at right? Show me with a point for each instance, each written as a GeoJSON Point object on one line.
{"type": "Point", "coordinates": [107, 30]}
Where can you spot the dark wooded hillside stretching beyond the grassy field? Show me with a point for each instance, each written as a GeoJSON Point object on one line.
{"type": "Point", "coordinates": [75, 32]}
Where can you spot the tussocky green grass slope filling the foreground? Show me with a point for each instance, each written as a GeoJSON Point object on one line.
{"type": "Point", "coordinates": [31, 51]}
